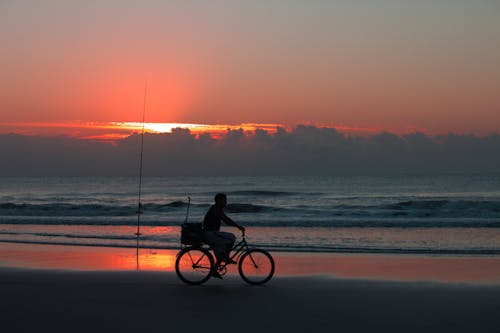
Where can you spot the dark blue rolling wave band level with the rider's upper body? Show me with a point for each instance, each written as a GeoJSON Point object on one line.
{"type": "Point", "coordinates": [403, 213]}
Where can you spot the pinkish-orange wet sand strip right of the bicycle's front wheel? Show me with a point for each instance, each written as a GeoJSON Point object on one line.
{"type": "Point", "coordinates": [393, 267]}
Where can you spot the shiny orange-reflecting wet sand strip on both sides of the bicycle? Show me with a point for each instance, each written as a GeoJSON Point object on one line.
{"type": "Point", "coordinates": [416, 268]}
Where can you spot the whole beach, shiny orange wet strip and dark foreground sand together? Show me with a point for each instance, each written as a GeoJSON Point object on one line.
{"type": "Point", "coordinates": [76, 292]}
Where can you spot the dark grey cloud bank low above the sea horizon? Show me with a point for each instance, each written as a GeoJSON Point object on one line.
{"type": "Point", "coordinates": [306, 150]}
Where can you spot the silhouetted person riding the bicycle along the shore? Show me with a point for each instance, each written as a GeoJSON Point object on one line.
{"type": "Point", "coordinates": [221, 242]}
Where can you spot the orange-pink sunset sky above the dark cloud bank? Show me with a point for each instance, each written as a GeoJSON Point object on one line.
{"type": "Point", "coordinates": [395, 65]}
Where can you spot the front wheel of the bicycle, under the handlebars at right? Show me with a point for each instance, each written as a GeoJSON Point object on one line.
{"type": "Point", "coordinates": [256, 266]}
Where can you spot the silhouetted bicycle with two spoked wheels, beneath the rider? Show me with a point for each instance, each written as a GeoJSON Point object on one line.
{"type": "Point", "coordinates": [194, 263]}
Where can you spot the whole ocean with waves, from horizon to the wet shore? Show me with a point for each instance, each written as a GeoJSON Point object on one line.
{"type": "Point", "coordinates": [450, 214]}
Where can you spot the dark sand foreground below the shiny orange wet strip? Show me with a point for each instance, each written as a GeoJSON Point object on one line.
{"type": "Point", "coordinates": [84, 301]}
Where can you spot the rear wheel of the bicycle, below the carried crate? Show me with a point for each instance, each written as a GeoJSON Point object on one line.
{"type": "Point", "coordinates": [194, 265]}
